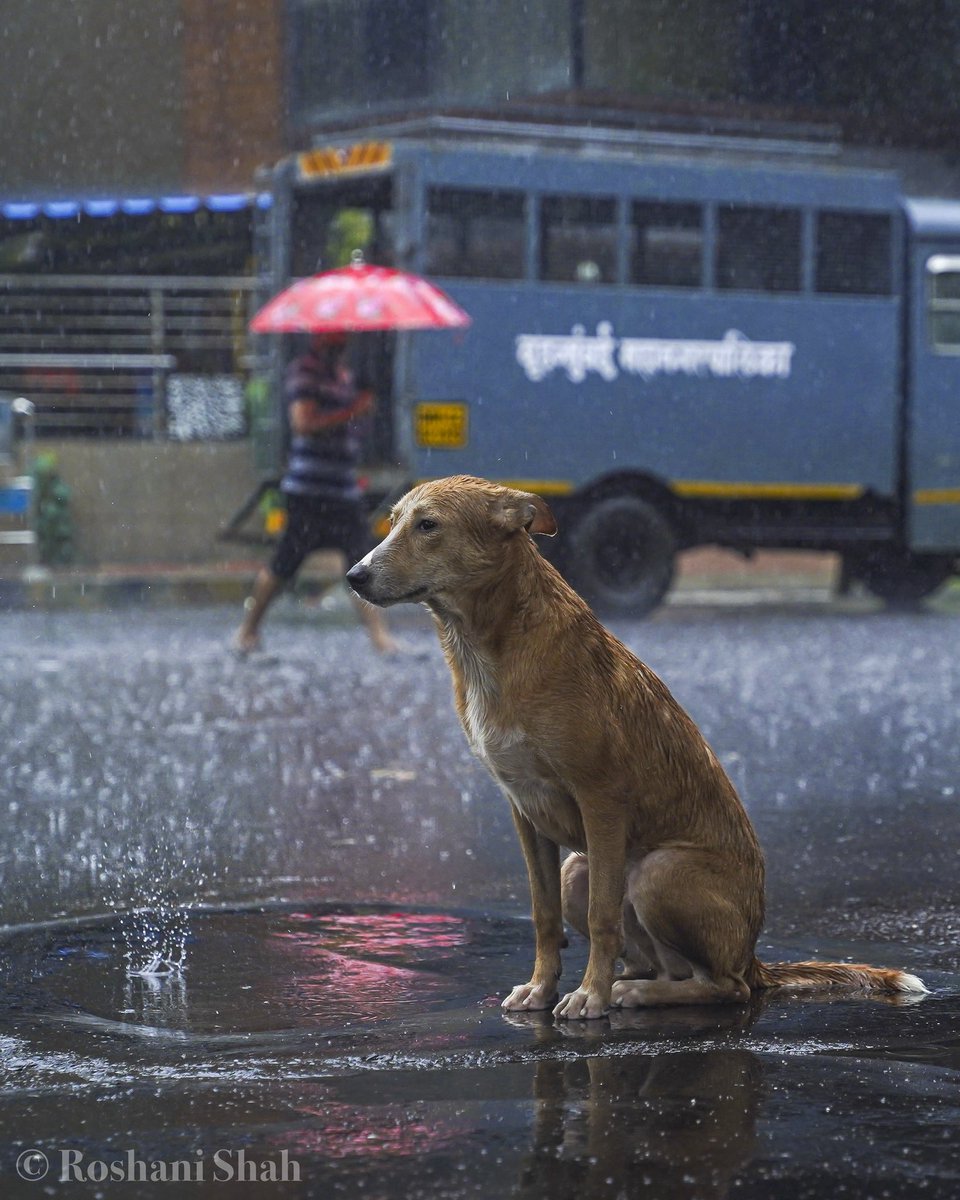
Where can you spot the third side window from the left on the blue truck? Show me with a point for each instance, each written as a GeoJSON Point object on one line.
{"type": "Point", "coordinates": [667, 245]}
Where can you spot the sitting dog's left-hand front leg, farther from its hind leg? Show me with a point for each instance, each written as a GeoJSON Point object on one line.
{"type": "Point", "coordinates": [543, 859]}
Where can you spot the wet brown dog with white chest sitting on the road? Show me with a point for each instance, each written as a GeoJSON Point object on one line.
{"type": "Point", "coordinates": [596, 755]}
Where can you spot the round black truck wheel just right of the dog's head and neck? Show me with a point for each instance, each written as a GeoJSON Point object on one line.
{"type": "Point", "coordinates": [621, 556]}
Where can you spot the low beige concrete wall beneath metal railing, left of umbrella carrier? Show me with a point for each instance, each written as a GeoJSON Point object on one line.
{"type": "Point", "coordinates": [154, 502]}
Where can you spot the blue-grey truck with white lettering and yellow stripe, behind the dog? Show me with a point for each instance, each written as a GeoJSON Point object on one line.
{"type": "Point", "coordinates": [677, 341]}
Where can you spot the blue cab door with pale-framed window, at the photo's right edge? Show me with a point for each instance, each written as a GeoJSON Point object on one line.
{"type": "Point", "coordinates": [934, 401]}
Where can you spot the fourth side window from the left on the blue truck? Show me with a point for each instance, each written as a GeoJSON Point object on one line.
{"type": "Point", "coordinates": [758, 249]}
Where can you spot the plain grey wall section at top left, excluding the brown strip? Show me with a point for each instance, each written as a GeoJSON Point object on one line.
{"type": "Point", "coordinates": [92, 97]}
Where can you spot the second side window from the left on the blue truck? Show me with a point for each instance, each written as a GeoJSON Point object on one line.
{"type": "Point", "coordinates": [578, 239]}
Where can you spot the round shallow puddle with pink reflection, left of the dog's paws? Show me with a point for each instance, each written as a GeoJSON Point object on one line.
{"type": "Point", "coordinates": [261, 974]}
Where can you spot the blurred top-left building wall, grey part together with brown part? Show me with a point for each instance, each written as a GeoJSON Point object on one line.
{"type": "Point", "coordinates": [112, 97]}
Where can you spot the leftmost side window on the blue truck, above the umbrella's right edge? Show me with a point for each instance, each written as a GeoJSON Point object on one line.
{"type": "Point", "coordinates": [476, 235]}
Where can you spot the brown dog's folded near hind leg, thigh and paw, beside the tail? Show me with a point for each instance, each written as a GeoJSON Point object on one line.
{"type": "Point", "coordinates": [701, 927]}
